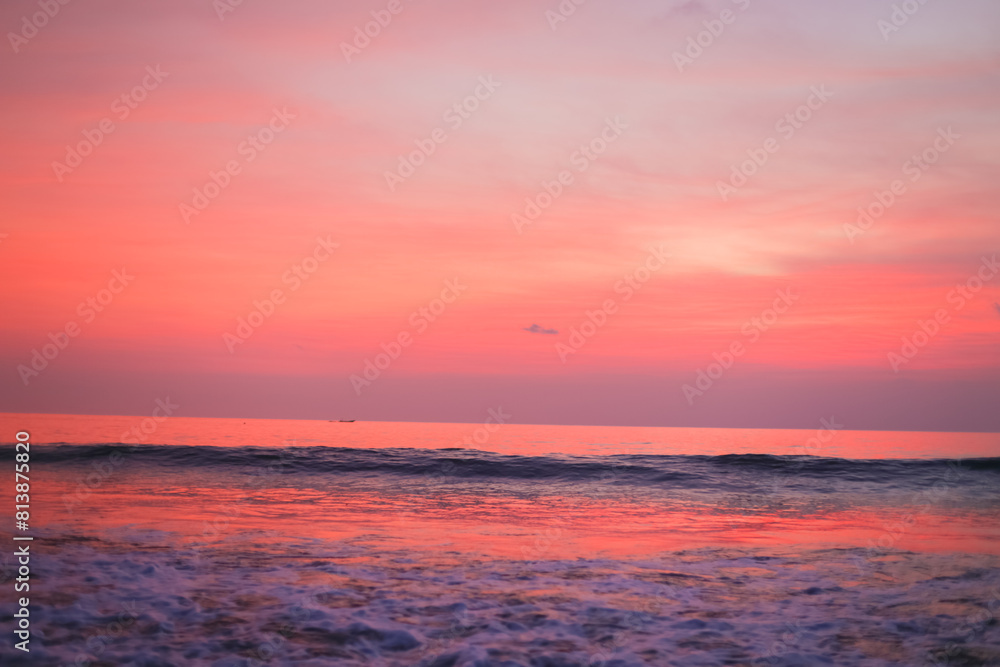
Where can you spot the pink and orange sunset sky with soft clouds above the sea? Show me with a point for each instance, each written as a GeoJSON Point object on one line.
{"type": "Point", "coordinates": [646, 137]}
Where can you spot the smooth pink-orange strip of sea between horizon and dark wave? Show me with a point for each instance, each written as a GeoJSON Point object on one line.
{"type": "Point", "coordinates": [520, 439]}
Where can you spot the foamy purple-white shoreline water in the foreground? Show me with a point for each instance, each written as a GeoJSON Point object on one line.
{"type": "Point", "coordinates": [345, 604]}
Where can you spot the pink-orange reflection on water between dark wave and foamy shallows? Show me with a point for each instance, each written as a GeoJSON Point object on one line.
{"type": "Point", "coordinates": [543, 527]}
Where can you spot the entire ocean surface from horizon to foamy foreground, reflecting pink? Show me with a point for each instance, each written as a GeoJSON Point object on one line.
{"type": "Point", "coordinates": [224, 542]}
